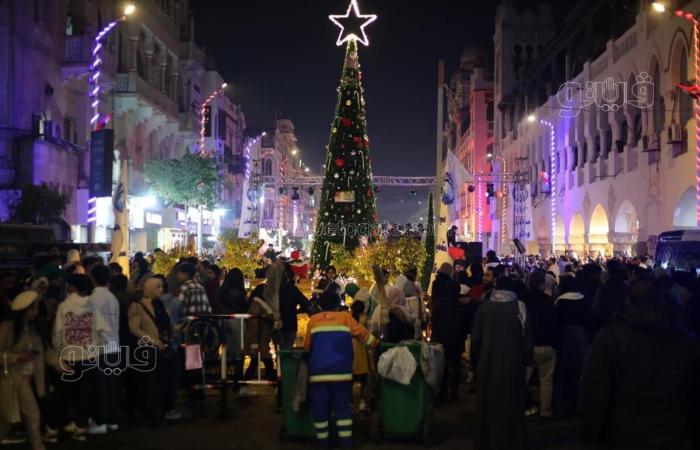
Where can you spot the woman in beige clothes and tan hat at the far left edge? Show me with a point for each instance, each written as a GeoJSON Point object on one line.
{"type": "Point", "coordinates": [22, 359]}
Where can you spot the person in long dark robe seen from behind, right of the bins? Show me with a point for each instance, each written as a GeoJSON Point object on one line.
{"type": "Point", "coordinates": [501, 348]}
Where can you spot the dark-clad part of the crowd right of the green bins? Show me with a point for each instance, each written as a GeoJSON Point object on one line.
{"type": "Point", "coordinates": [610, 341]}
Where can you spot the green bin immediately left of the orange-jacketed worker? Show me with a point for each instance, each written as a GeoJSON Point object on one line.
{"type": "Point", "coordinates": [295, 424]}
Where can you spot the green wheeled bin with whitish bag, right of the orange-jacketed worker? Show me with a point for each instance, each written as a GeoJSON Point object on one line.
{"type": "Point", "coordinates": [406, 411]}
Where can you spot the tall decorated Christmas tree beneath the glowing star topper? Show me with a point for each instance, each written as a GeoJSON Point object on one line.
{"type": "Point", "coordinates": [347, 209]}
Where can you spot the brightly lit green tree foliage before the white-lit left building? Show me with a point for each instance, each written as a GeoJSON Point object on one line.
{"type": "Point", "coordinates": [190, 180]}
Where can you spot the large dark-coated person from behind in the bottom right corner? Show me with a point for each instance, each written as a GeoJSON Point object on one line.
{"type": "Point", "coordinates": [640, 385]}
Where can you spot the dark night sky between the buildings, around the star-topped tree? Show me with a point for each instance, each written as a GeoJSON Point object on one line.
{"type": "Point", "coordinates": [279, 56]}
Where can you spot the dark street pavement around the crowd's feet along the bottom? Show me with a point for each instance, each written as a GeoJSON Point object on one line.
{"type": "Point", "coordinates": [253, 424]}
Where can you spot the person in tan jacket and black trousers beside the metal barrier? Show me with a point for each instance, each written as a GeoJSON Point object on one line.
{"type": "Point", "coordinates": [150, 321]}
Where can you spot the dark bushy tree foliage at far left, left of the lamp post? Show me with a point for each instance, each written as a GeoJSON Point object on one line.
{"type": "Point", "coordinates": [40, 204]}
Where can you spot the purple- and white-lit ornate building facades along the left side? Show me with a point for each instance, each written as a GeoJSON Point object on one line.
{"type": "Point", "coordinates": [153, 80]}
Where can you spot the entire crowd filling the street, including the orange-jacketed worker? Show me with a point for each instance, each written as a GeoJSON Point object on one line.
{"type": "Point", "coordinates": [612, 342]}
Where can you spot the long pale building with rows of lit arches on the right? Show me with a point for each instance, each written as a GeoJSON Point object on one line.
{"type": "Point", "coordinates": [606, 149]}
